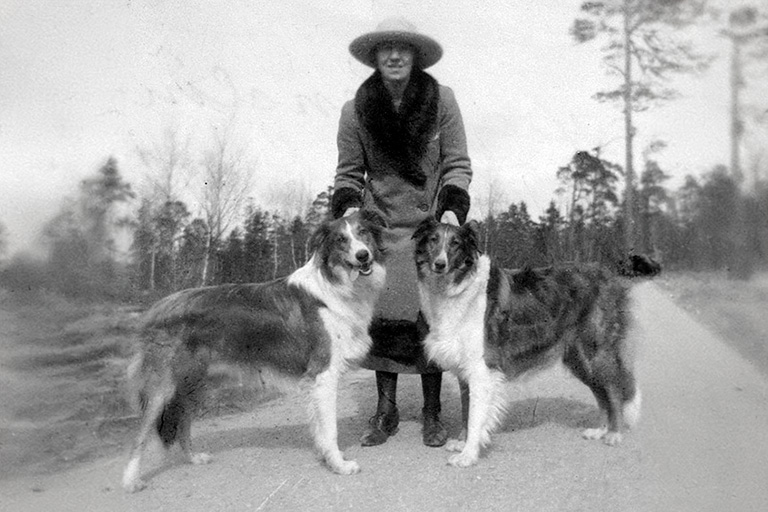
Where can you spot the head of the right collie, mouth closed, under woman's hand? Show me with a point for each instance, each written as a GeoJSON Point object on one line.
{"type": "Point", "coordinates": [446, 250]}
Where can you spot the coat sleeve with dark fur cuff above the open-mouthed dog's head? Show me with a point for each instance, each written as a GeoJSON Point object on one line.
{"type": "Point", "coordinates": [349, 182]}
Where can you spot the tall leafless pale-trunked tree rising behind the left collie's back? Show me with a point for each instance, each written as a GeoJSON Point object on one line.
{"type": "Point", "coordinates": [226, 181]}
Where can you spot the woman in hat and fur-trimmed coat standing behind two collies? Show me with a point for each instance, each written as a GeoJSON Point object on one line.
{"type": "Point", "coordinates": [402, 153]}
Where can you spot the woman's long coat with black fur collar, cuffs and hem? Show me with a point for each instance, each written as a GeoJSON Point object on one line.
{"type": "Point", "coordinates": [407, 165]}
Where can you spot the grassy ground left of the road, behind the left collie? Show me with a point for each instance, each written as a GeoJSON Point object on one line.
{"type": "Point", "coordinates": [65, 365]}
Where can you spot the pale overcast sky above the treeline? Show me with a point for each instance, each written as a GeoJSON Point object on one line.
{"type": "Point", "coordinates": [83, 80]}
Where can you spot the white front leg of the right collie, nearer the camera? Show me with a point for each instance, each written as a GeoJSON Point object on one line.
{"type": "Point", "coordinates": [483, 415]}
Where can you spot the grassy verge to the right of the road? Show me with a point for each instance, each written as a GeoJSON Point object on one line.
{"type": "Point", "coordinates": [735, 310]}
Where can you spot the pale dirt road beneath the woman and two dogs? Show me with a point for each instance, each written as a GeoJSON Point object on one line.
{"type": "Point", "coordinates": [702, 444]}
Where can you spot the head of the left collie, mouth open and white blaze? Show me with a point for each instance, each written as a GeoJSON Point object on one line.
{"type": "Point", "coordinates": [350, 244]}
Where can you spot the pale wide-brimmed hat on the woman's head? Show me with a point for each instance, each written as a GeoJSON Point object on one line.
{"type": "Point", "coordinates": [396, 30]}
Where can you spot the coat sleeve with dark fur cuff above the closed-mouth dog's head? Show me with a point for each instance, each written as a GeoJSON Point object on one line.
{"type": "Point", "coordinates": [455, 166]}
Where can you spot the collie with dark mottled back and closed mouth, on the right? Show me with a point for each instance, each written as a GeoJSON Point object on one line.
{"type": "Point", "coordinates": [490, 326]}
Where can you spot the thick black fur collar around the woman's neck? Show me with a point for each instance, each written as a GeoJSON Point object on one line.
{"type": "Point", "coordinates": [403, 136]}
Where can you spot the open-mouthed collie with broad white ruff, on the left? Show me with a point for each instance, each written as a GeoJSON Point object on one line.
{"type": "Point", "coordinates": [309, 326]}
